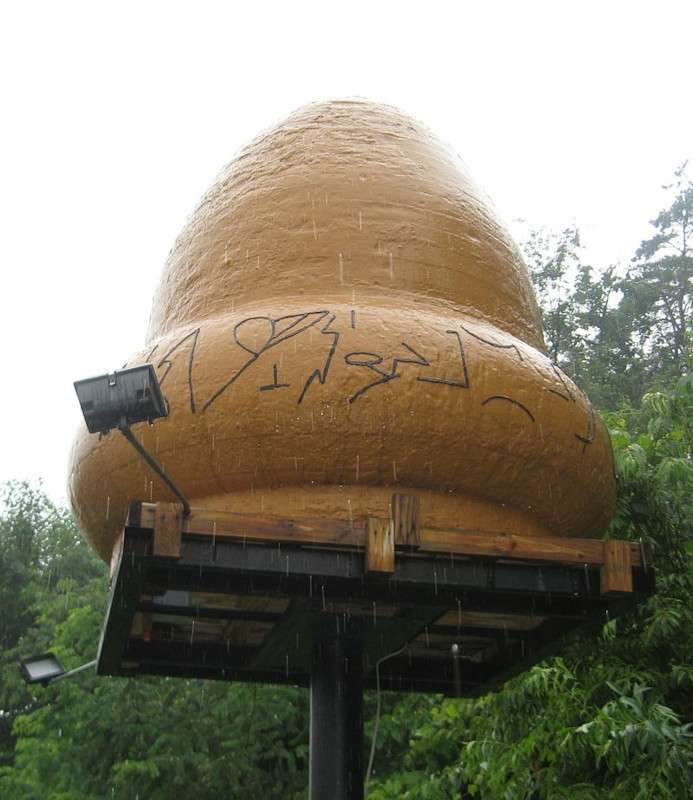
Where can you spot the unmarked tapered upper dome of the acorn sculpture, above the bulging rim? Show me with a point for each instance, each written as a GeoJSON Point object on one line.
{"type": "Point", "coordinates": [346, 200]}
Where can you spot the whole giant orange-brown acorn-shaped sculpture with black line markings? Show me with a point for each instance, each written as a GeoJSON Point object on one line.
{"type": "Point", "coordinates": [344, 317]}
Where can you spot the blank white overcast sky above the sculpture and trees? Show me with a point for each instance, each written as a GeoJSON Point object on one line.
{"type": "Point", "coordinates": [117, 116]}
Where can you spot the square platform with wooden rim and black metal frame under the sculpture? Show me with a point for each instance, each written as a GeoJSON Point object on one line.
{"type": "Point", "coordinates": [243, 597]}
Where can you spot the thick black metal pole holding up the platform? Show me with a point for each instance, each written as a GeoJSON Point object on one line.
{"type": "Point", "coordinates": [336, 720]}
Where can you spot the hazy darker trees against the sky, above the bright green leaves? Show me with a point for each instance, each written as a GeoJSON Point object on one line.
{"type": "Point", "coordinates": [619, 333]}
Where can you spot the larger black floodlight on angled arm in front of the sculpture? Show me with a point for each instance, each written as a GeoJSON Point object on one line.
{"type": "Point", "coordinates": [122, 398]}
